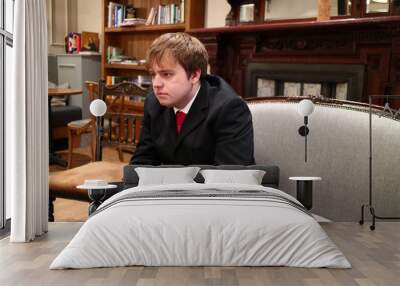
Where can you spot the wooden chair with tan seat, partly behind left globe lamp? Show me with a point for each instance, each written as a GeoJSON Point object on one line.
{"type": "Point", "coordinates": [79, 127]}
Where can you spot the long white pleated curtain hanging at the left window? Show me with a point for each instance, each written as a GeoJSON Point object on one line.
{"type": "Point", "coordinates": [27, 124]}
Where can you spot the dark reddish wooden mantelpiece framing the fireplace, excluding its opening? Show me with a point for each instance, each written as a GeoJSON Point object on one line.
{"type": "Point", "coordinates": [371, 42]}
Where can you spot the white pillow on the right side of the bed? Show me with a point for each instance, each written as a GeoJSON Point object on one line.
{"type": "Point", "coordinates": [248, 177]}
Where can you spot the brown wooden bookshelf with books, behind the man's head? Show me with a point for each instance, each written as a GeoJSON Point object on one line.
{"type": "Point", "coordinates": [133, 41]}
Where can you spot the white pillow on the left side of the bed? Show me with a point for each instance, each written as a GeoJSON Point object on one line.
{"type": "Point", "coordinates": [164, 176]}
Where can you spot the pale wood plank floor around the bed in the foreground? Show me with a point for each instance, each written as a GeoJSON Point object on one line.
{"type": "Point", "coordinates": [375, 256]}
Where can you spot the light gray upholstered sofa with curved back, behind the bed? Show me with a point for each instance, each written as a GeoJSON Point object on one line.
{"type": "Point", "coordinates": [338, 151]}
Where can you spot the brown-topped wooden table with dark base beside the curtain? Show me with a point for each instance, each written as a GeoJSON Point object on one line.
{"type": "Point", "coordinates": [57, 92]}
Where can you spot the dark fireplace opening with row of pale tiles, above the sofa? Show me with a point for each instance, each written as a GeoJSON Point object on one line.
{"type": "Point", "coordinates": [343, 82]}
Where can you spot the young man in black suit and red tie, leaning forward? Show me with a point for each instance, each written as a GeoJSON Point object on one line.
{"type": "Point", "coordinates": [191, 117]}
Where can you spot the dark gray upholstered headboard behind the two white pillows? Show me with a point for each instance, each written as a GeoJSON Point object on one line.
{"type": "Point", "coordinates": [270, 179]}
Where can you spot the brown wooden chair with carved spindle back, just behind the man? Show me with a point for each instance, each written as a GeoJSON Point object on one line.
{"type": "Point", "coordinates": [125, 106]}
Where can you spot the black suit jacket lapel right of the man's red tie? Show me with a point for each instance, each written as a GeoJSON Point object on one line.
{"type": "Point", "coordinates": [197, 113]}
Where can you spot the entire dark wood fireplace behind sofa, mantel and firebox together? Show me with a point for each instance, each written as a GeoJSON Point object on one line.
{"type": "Point", "coordinates": [361, 55]}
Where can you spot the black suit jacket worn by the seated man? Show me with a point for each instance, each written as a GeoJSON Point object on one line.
{"type": "Point", "coordinates": [217, 130]}
